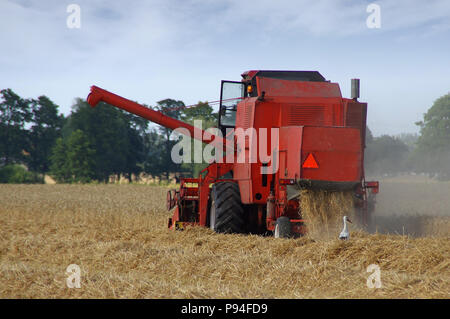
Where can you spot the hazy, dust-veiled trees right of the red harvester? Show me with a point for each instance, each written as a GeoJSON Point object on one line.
{"type": "Point", "coordinates": [427, 152]}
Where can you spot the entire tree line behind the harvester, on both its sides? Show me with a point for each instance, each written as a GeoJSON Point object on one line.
{"type": "Point", "coordinates": [93, 145]}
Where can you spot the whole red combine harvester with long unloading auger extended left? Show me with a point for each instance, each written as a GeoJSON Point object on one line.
{"type": "Point", "coordinates": [319, 144]}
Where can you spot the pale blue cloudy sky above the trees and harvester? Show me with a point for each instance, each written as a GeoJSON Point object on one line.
{"type": "Point", "coordinates": [152, 50]}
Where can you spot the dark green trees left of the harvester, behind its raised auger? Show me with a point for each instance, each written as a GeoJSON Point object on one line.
{"type": "Point", "coordinates": [89, 144]}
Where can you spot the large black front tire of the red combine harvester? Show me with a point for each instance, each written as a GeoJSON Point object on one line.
{"type": "Point", "coordinates": [227, 212]}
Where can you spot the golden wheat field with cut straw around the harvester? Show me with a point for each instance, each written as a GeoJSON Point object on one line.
{"type": "Point", "coordinates": [118, 236]}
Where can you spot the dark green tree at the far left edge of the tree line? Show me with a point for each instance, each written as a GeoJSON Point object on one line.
{"type": "Point", "coordinates": [14, 115]}
